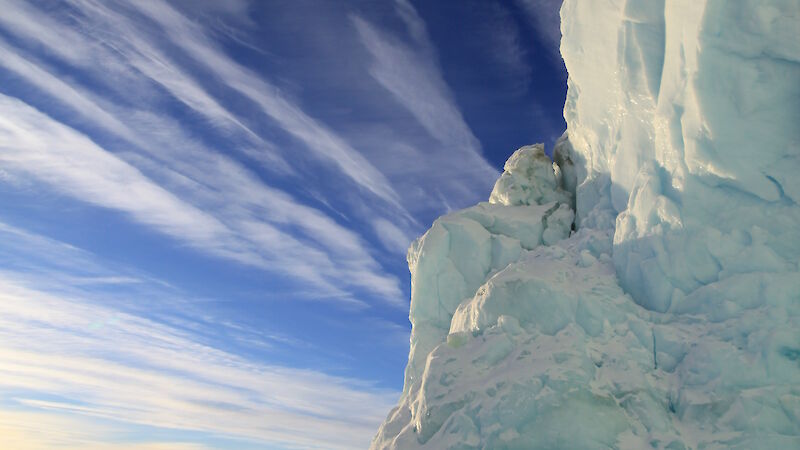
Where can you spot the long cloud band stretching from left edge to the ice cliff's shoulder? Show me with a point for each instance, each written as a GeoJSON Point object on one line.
{"type": "Point", "coordinates": [237, 217]}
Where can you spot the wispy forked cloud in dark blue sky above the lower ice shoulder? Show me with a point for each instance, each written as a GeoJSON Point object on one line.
{"type": "Point", "coordinates": [451, 166]}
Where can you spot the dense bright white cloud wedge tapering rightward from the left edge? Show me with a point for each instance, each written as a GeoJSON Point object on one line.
{"type": "Point", "coordinates": [33, 143]}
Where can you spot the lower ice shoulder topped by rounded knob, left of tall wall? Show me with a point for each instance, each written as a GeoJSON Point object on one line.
{"type": "Point", "coordinates": [464, 249]}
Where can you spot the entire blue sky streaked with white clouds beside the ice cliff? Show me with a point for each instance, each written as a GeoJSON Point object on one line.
{"type": "Point", "coordinates": [205, 206]}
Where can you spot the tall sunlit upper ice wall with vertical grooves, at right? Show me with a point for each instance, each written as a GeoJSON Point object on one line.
{"type": "Point", "coordinates": [690, 110]}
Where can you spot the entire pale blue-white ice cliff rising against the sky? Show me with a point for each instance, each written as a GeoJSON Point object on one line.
{"type": "Point", "coordinates": [643, 290]}
